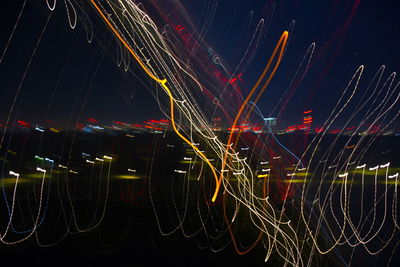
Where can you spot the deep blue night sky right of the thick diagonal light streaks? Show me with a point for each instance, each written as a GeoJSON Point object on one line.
{"type": "Point", "coordinates": [371, 36]}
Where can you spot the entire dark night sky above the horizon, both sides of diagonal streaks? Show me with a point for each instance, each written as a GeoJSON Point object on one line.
{"type": "Point", "coordinates": [69, 80]}
